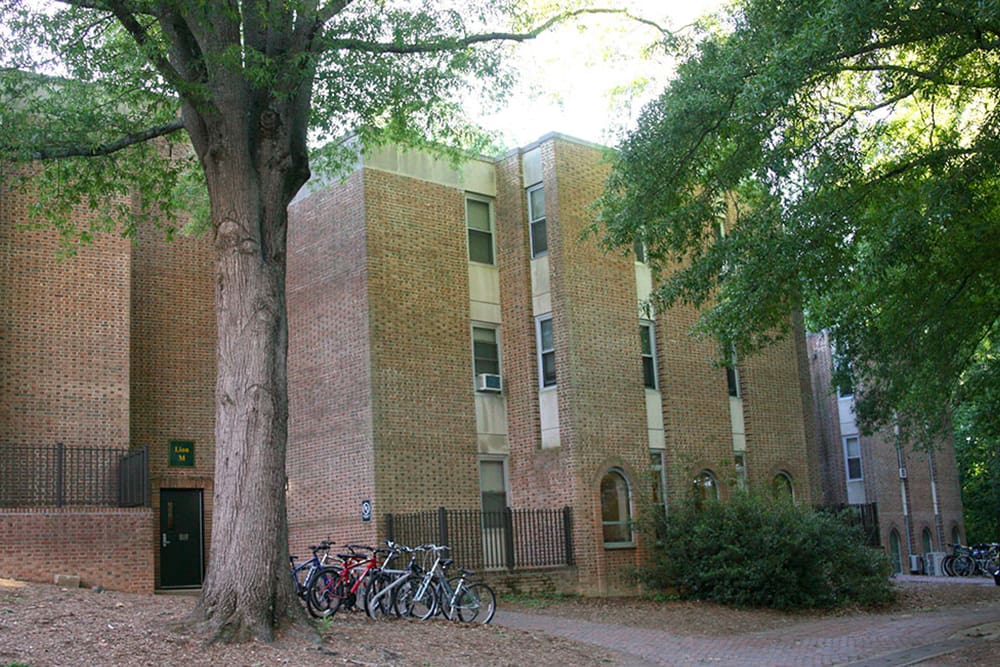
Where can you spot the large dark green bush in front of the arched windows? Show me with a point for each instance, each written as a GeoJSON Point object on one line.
{"type": "Point", "coordinates": [761, 552]}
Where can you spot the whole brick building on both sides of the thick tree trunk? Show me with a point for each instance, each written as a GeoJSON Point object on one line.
{"type": "Point", "coordinates": [454, 342]}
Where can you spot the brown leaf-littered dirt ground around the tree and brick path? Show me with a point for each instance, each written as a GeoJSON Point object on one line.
{"type": "Point", "coordinates": [44, 625]}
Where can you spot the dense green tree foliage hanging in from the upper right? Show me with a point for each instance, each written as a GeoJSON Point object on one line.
{"type": "Point", "coordinates": [854, 145]}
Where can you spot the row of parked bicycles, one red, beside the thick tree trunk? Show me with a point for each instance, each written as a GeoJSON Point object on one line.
{"type": "Point", "coordinates": [396, 580]}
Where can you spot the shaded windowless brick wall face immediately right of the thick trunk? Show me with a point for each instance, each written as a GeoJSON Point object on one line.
{"type": "Point", "coordinates": [330, 445]}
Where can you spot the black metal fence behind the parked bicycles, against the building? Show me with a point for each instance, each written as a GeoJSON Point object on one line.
{"type": "Point", "coordinates": [511, 539]}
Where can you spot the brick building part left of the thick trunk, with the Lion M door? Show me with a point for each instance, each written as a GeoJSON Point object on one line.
{"type": "Point", "coordinates": [110, 350]}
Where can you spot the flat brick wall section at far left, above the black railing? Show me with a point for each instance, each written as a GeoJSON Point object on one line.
{"type": "Point", "coordinates": [64, 336]}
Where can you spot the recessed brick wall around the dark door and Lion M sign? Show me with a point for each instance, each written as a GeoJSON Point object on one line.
{"type": "Point", "coordinates": [172, 353]}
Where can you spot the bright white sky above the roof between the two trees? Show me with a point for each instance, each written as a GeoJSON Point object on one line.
{"type": "Point", "coordinates": [566, 76]}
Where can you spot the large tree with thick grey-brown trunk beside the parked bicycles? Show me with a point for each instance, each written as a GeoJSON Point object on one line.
{"type": "Point", "coordinates": [128, 108]}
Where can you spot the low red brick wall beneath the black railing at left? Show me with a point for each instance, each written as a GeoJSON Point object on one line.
{"type": "Point", "coordinates": [112, 548]}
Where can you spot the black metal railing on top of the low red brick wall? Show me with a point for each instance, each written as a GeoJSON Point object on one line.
{"type": "Point", "coordinates": [45, 476]}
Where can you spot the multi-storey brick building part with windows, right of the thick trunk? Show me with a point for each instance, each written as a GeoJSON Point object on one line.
{"type": "Point", "coordinates": [455, 341]}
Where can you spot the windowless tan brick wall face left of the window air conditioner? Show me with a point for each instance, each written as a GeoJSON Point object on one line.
{"type": "Point", "coordinates": [424, 413]}
